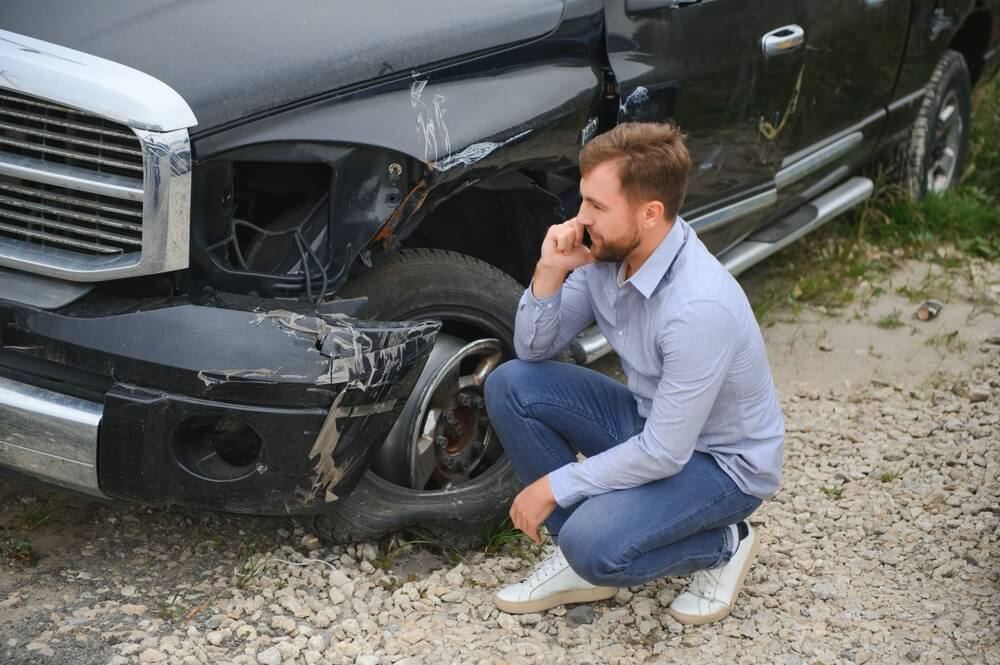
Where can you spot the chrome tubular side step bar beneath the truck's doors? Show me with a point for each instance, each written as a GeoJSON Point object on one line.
{"type": "Point", "coordinates": [590, 344]}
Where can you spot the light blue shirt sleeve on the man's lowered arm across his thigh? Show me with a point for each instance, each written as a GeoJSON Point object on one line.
{"type": "Point", "coordinates": [698, 345]}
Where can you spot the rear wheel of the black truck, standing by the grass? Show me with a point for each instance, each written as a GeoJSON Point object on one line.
{"type": "Point", "coordinates": [939, 136]}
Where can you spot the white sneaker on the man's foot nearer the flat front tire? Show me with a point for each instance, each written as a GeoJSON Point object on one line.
{"type": "Point", "coordinates": [552, 583]}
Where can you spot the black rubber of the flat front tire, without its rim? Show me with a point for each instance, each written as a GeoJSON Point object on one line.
{"type": "Point", "coordinates": [466, 294]}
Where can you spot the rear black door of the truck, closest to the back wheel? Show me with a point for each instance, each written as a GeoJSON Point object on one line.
{"type": "Point", "coordinates": [853, 53]}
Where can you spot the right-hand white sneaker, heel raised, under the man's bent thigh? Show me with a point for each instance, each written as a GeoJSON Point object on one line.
{"type": "Point", "coordinates": [712, 592]}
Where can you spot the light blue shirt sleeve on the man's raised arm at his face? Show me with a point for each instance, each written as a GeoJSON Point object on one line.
{"type": "Point", "coordinates": [542, 327]}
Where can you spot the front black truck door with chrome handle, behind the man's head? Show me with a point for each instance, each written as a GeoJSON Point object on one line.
{"type": "Point", "coordinates": [726, 71]}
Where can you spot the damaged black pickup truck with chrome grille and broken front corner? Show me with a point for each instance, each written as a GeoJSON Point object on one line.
{"type": "Point", "coordinates": [260, 257]}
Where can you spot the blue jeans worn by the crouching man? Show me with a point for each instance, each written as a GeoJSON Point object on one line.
{"type": "Point", "coordinates": [546, 412]}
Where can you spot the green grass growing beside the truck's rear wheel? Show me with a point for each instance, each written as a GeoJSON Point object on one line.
{"type": "Point", "coordinates": [827, 268]}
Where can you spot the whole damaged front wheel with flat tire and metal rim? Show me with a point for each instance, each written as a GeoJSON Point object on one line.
{"type": "Point", "coordinates": [441, 467]}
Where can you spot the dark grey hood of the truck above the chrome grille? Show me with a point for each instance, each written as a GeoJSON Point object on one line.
{"type": "Point", "coordinates": [233, 58]}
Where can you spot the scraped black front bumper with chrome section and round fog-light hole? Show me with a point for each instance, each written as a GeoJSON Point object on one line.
{"type": "Point", "coordinates": [227, 403]}
